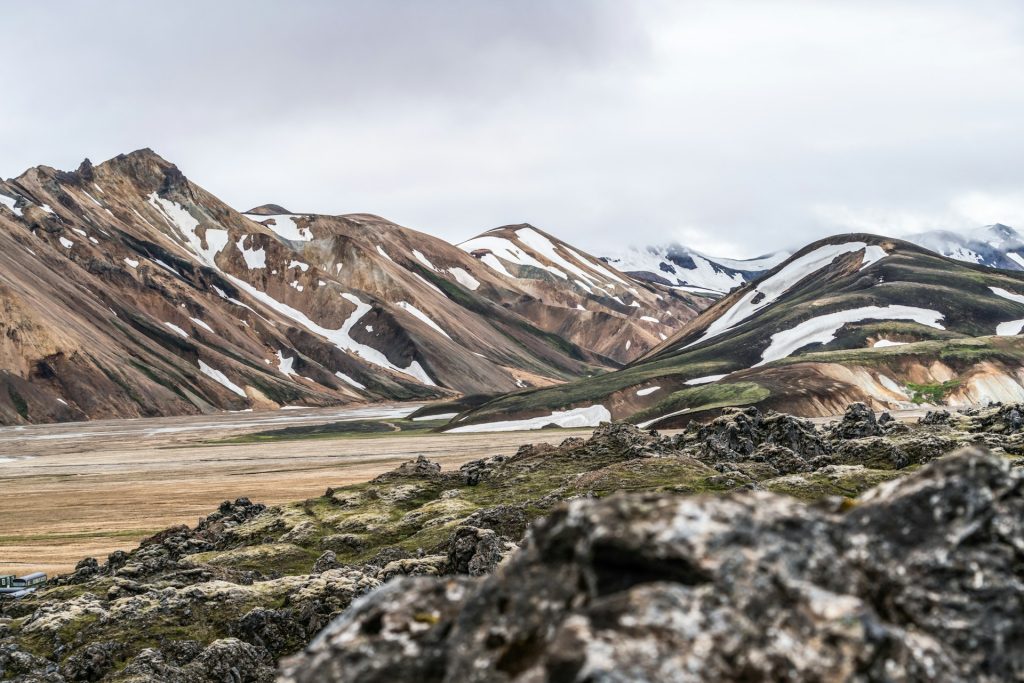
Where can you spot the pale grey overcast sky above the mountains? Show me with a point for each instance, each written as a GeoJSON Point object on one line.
{"type": "Point", "coordinates": [735, 127]}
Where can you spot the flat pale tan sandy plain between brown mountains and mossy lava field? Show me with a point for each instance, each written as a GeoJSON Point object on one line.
{"type": "Point", "coordinates": [69, 492]}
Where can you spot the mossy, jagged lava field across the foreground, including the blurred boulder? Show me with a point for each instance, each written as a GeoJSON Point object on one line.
{"type": "Point", "coordinates": [918, 579]}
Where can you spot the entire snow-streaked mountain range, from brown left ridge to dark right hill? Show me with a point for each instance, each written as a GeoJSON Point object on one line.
{"type": "Point", "coordinates": [127, 290]}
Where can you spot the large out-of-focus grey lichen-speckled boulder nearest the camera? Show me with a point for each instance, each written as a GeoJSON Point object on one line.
{"type": "Point", "coordinates": [920, 582]}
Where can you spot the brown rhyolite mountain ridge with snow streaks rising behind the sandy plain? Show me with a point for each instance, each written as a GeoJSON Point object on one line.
{"type": "Point", "coordinates": [129, 290]}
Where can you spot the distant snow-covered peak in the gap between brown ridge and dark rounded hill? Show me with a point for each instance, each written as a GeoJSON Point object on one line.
{"type": "Point", "coordinates": [679, 267]}
